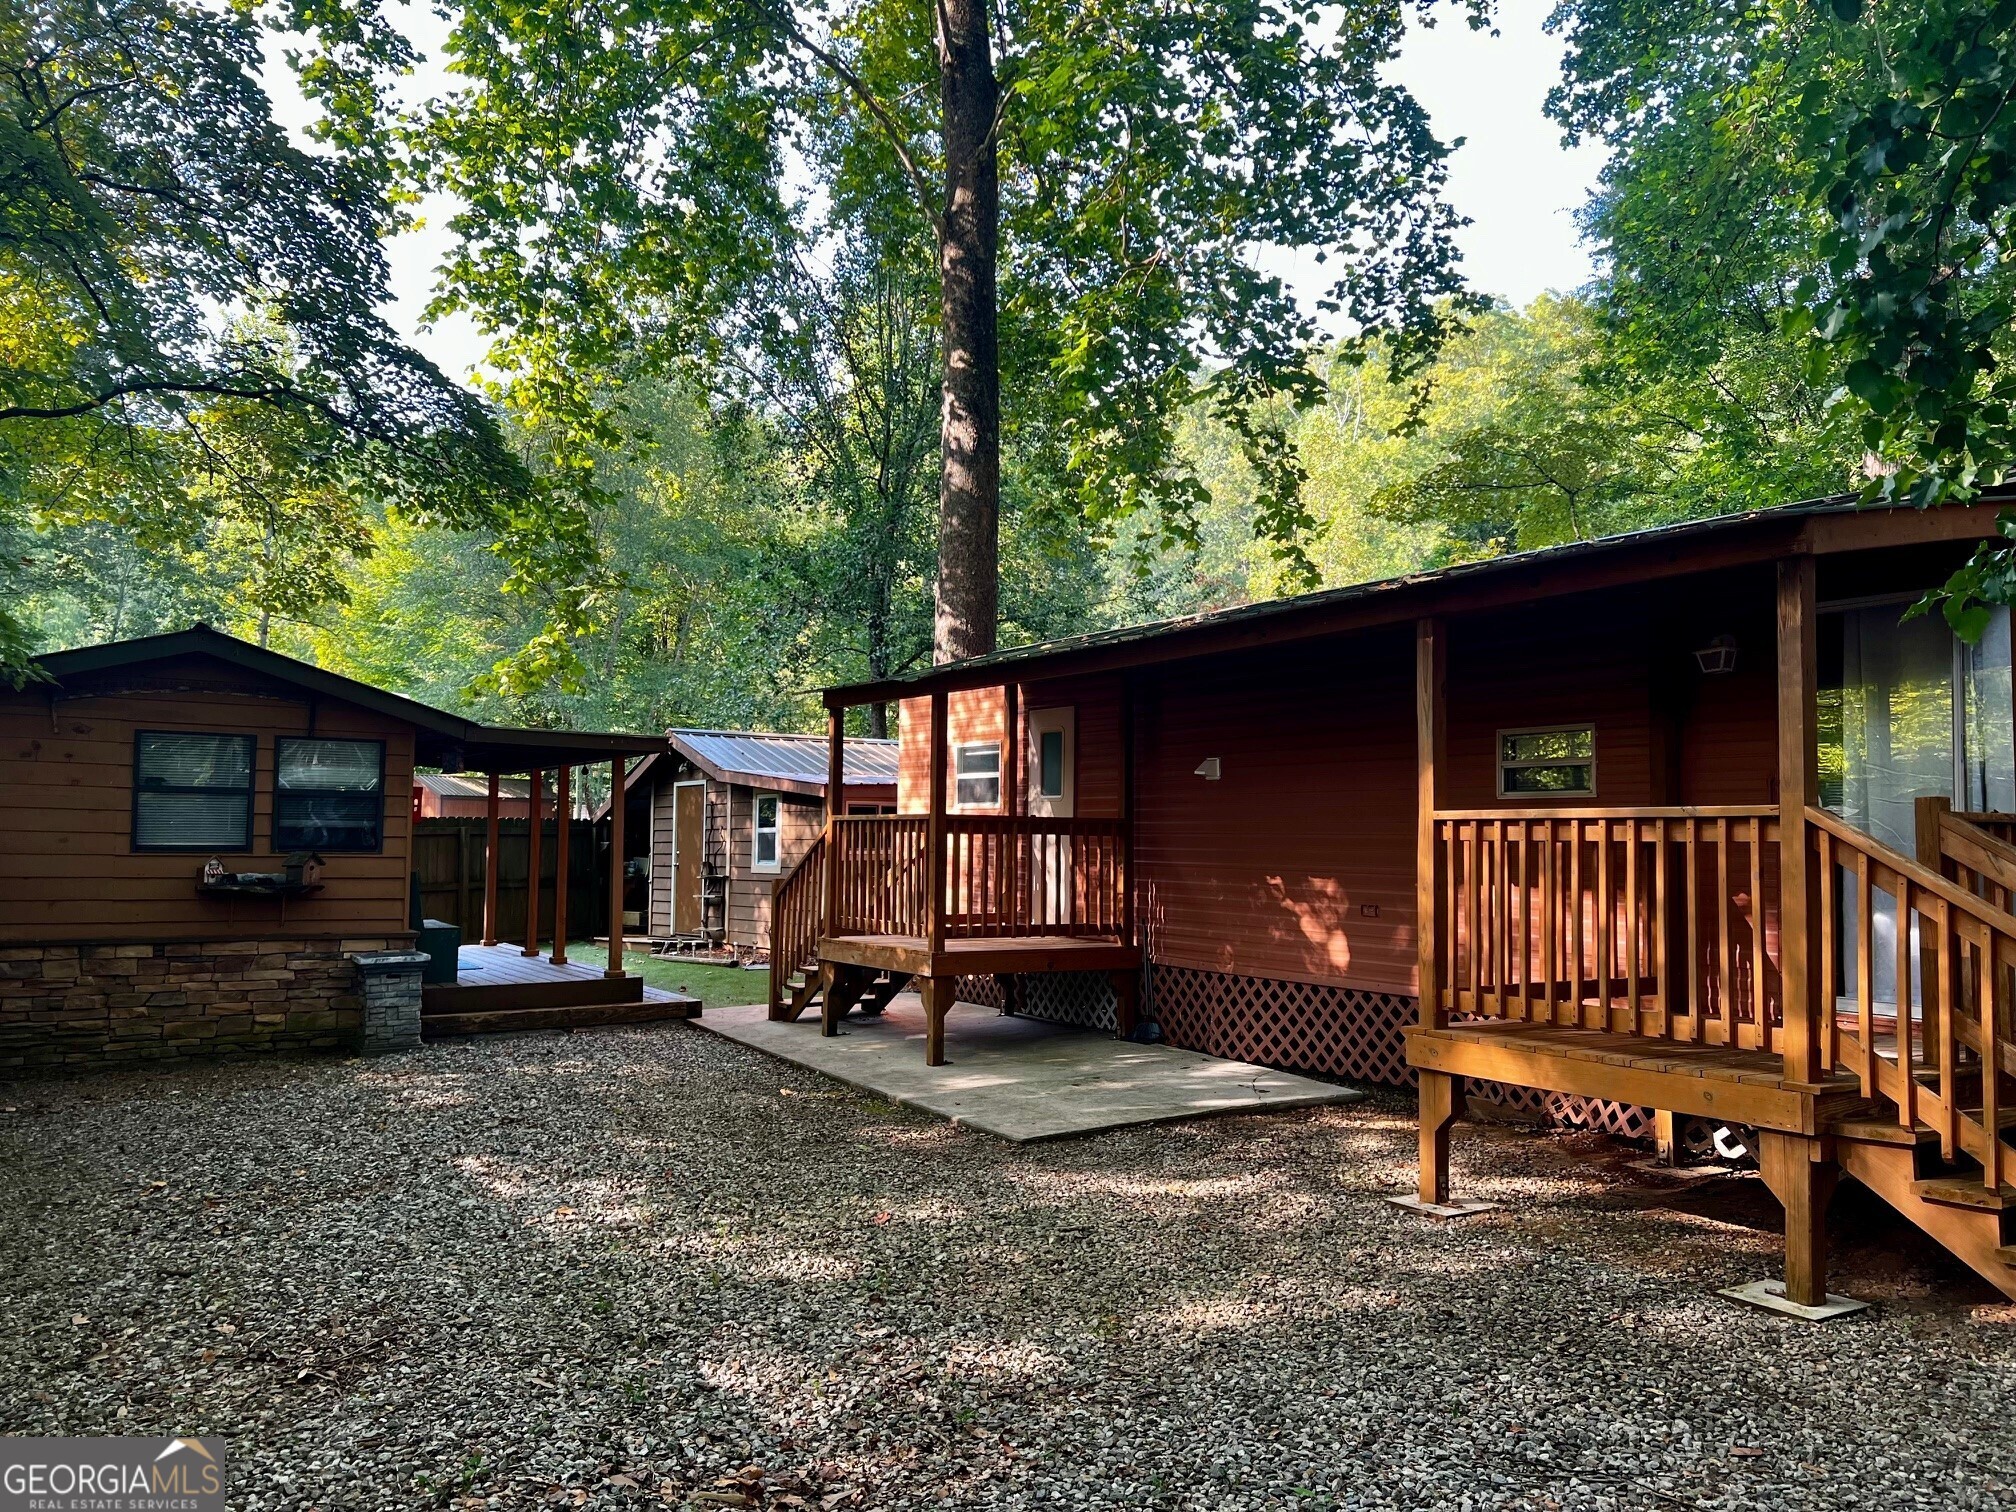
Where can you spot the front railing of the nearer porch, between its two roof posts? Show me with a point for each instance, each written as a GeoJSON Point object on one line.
{"type": "Point", "coordinates": [1636, 920]}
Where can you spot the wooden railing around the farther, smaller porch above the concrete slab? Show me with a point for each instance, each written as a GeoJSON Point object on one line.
{"type": "Point", "coordinates": [1005, 876]}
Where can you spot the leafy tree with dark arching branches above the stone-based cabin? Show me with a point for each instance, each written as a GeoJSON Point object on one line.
{"type": "Point", "coordinates": [174, 267]}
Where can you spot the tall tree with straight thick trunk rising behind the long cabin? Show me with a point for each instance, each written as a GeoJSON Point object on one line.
{"type": "Point", "coordinates": [1098, 180]}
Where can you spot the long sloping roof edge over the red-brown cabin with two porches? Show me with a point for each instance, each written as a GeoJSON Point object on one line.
{"type": "Point", "coordinates": [1821, 525]}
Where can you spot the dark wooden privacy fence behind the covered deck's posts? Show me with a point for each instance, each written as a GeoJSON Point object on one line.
{"type": "Point", "coordinates": [449, 858]}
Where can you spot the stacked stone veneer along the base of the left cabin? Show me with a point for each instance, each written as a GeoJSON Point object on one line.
{"type": "Point", "coordinates": [80, 1005]}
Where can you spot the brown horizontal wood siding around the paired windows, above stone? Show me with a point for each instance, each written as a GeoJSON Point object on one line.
{"type": "Point", "coordinates": [70, 870]}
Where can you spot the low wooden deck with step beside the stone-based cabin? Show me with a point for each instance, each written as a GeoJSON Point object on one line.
{"type": "Point", "coordinates": [503, 989]}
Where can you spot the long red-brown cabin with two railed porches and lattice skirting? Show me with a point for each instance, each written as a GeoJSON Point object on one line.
{"type": "Point", "coordinates": [1684, 826]}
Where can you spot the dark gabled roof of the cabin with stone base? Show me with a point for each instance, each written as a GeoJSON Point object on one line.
{"type": "Point", "coordinates": [440, 739]}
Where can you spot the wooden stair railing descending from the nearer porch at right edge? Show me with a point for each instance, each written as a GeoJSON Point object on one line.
{"type": "Point", "coordinates": [1942, 1049]}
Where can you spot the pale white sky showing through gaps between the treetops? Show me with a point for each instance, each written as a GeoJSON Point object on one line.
{"type": "Point", "coordinates": [1513, 178]}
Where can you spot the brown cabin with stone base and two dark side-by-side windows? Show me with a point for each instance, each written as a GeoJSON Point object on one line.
{"type": "Point", "coordinates": [130, 767]}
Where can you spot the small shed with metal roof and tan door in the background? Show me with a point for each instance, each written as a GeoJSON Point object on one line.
{"type": "Point", "coordinates": [729, 813]}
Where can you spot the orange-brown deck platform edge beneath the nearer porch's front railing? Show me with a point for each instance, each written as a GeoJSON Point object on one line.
{"type": "Point", "coordinates": [1713, 1082]}
